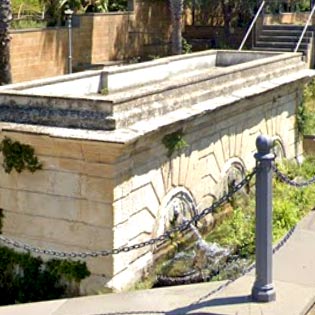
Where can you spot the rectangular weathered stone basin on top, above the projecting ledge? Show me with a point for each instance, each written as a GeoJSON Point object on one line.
{"type": "Point", "coordinates": [119, 96]}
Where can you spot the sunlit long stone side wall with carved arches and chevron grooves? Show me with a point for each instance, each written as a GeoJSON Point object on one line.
{"type": "Point", "coordinates": [217, 142]}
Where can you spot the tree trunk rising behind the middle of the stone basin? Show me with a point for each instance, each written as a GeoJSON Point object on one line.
{"type": "Point", "coordinates": [176, 12]}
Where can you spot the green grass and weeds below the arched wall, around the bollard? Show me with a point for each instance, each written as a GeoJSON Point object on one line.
{"type": "Point", "coordinates": [237, 231]}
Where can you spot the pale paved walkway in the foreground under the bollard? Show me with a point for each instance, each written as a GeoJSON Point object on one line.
{"type": "Point", "coordinates": [294, 279]}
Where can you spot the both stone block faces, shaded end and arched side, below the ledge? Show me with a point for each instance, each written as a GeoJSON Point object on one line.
{"type": "Point", "coordinates": [97, 195]}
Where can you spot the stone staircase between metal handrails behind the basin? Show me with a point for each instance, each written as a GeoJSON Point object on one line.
{"type": "Point", "coordinates": [284, 37]}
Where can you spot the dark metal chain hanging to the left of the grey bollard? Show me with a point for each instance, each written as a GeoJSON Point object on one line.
{"type": "Point", "coordinates": [163, 237]}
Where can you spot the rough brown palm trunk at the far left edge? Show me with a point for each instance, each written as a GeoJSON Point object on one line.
{"type": "Point", "coordinates": [5, 19]}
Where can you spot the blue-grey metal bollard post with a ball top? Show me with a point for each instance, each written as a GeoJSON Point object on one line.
{"type": "Point", "coordinates": [263, 289]}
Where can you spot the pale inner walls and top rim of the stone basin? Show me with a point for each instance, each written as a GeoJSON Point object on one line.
{"type": "Point", "coordinates": [129, 77]}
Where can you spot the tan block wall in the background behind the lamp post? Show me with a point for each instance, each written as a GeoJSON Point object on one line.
{"type": "Point", "coordinates": [97, 39]}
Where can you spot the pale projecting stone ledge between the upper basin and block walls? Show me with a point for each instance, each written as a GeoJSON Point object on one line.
{"type": "Point", "coordinates": [171, 120]}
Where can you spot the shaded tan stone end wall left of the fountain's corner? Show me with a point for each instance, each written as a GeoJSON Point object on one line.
{"type": "Point", "coordinates": [67, 204]}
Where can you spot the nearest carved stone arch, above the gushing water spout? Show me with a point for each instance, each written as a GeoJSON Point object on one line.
{"type": "Point", "coordinates": [178, 200]}
